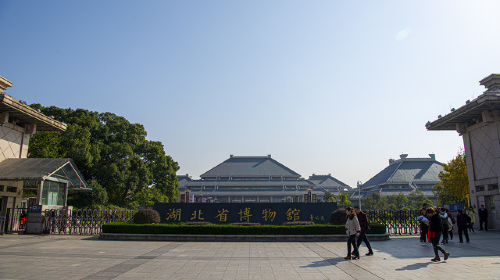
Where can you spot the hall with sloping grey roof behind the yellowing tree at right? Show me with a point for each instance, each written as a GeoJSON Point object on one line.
{"type": "Point", "coordinates": [403, 176]}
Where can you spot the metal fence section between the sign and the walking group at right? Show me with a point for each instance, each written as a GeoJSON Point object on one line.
{"type": "Point", "coordinates": [397, 222]}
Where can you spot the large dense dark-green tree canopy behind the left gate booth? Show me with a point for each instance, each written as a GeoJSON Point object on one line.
{"type": "Point", "coordinates": [112, 154]}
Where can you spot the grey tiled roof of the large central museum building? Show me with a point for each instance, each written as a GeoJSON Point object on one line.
{"type": "Point", "coordinates": [250, 166]}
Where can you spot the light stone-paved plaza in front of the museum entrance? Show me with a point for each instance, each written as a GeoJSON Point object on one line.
{"type": "Point", "coordinates": [87, 257]}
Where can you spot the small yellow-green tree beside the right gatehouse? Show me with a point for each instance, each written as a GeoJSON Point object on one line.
{"type": "Point", "coordinates": [454, 185]}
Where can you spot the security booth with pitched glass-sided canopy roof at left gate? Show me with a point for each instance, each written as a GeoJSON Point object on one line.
{"type": "Point", "coordinates": [48, 180]}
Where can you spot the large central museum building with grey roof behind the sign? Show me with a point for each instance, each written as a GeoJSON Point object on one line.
{"type": "Point", "coordinates": [250, 179]}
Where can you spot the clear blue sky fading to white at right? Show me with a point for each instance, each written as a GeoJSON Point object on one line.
{"type": "Point", "coordinates": [324, 86]}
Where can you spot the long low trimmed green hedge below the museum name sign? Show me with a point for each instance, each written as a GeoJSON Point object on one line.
{"type": "Point", "coordinates": [231, 229]}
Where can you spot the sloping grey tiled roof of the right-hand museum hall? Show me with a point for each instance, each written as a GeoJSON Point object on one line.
{"type": "Point", "coordinates": [418, 171]}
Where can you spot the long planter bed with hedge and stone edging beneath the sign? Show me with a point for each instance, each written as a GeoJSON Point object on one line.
{"type": "Point", "coordinates": [232, 232]}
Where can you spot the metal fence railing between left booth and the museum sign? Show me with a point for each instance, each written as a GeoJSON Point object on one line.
{"type": "Point", "coordinates": [86, 221]}
